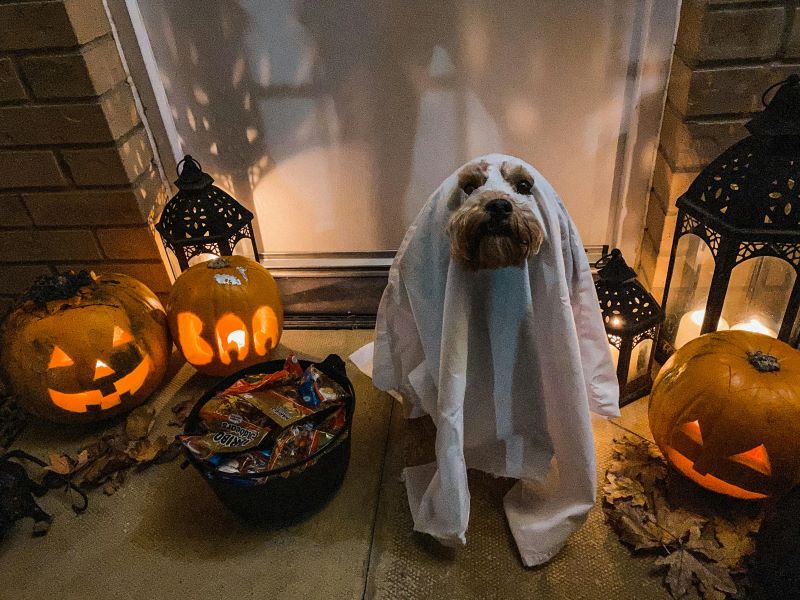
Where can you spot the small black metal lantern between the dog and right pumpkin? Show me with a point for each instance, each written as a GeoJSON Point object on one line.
{"type": "Point", "coordinates": [632, 318]}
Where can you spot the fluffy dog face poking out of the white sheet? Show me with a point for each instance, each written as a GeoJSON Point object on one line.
{"type": "Point", "coordinates": [491, 224]}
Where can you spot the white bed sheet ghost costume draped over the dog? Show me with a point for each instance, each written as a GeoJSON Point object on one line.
{"type": "Point", "coordinates": [507, 362]}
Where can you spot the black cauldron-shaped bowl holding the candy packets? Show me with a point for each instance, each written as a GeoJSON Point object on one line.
{"type": "Point", "coordinates": [295, 490]}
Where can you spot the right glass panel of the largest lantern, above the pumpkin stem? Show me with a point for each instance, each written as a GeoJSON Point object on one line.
{"type": "Point", "coordinates": [758, 294]}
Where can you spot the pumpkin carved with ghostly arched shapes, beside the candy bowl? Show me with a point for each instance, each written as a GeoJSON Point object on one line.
{"type": "Point", "coordinates": [225, 314]}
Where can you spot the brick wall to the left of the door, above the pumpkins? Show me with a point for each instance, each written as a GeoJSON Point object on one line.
{"type": "Point", "coordinates": [77, 178]}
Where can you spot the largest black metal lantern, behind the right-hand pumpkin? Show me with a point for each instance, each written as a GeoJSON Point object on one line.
{"type": "Point", "coordinates": [735, 259]}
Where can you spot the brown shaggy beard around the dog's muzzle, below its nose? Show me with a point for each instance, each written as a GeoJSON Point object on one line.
{"type": "Point", "coordinates": [484, 244]}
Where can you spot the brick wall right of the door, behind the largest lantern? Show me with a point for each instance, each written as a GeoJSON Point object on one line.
{"type": "Point", "coordinates": [727, 53]}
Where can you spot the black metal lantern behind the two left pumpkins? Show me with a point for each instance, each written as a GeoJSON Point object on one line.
{"type": "Point", "coordinates": [201, 218]}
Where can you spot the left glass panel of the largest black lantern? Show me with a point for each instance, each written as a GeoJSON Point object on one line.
{"type": "Point", "coordinates": [688, 292]}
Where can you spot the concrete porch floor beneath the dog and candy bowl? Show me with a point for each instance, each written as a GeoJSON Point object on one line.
{"type": "Point", "coordinates": [164, 534]}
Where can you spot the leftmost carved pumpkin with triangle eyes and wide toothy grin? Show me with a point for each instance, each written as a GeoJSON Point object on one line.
{"type": "Point", "coordinates": [90, 348]}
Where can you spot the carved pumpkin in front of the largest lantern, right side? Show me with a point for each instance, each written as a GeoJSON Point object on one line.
{"type": "Point", "coordinates": [725, 411]}
